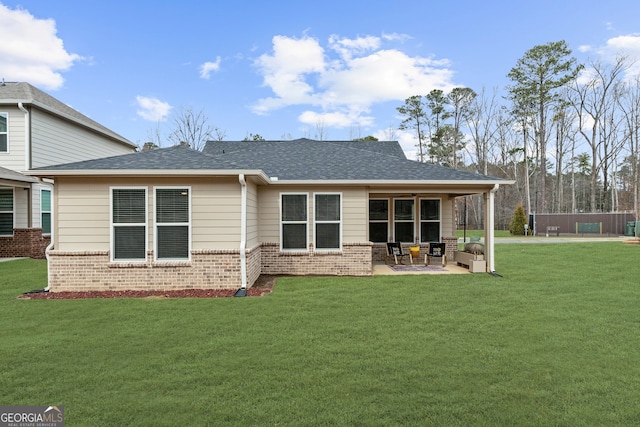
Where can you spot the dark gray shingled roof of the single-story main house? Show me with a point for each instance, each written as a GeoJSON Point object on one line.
{"type": "Point", "coordinates": [297, 160]}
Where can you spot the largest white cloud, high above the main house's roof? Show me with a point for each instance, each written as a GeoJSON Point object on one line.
{"type": "Point", "coordinates": [344, 79]}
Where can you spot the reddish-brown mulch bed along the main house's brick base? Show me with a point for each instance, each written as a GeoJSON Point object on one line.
{"type": "Point", "coordinates": [264, 285]}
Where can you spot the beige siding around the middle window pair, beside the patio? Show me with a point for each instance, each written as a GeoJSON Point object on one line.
{"type": "Point", "coordinates": [354, 211]}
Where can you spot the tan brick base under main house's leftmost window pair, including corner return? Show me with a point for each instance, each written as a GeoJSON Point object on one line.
{"type": "Point", "coordinates": [93, 271]}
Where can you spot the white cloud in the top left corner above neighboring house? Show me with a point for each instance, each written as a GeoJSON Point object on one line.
{"type": "Point", "coordinates": [31, 50]}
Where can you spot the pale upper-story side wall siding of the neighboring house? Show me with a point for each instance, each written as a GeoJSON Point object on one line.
{"type": "Point", "coordinates": [57, 141]}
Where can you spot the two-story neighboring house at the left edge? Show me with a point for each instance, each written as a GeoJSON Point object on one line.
{"type": "Point", "coordinates": [37, 130]}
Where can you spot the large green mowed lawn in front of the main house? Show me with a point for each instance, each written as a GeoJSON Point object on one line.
{"type": "Point", "coordinates": [552, 342]}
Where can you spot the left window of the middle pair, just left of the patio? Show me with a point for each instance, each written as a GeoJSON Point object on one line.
{"type": "Point", "coordinates": [293, 218]}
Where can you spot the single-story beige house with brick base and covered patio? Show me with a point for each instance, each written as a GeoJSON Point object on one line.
{"type": "Point", "coordinates": [177, 218]}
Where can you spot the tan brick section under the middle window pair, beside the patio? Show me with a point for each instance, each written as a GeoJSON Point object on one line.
{"type": "Point", "coordinates": [353, 260]}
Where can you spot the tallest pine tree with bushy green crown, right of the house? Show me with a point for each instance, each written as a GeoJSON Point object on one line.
{"type": "Point", "coordinates": [537, 77]}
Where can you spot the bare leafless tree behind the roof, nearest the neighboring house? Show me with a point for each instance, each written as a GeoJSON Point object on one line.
{"type": "Point", "coordinates": [191, 128]}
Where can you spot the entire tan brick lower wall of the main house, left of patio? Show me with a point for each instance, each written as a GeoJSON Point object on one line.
{"type": "Point", "coordinates": [208, 269]}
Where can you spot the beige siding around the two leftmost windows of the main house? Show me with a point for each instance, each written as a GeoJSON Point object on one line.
{"type": "Point", "coordinates": [83, 211]}
